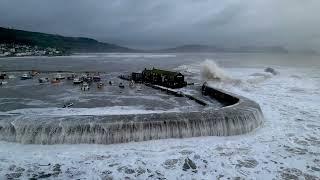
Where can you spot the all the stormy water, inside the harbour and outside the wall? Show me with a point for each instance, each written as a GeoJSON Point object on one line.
{"type": "Point", "coordinates": [286, 146]}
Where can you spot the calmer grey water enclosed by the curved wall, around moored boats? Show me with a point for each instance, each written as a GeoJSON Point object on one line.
{"type": "Point", "coordinates": [30, 94]}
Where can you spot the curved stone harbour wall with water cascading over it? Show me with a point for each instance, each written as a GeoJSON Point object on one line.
{"type": "Point", "coordinates": [240, 116]}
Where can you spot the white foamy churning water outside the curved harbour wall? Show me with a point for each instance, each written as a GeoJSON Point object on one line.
{"type": "Point", "coordinates": [287, 146]}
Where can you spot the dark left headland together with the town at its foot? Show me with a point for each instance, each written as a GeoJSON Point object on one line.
{"type": "Point", "coordinates": [56, 44]}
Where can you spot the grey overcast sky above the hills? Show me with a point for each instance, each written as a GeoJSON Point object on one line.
{"type": "Point", "coordinates": [166, 23]}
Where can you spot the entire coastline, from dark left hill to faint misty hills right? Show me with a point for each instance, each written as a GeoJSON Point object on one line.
{"type": "Point", "coordinates": [19, 43]}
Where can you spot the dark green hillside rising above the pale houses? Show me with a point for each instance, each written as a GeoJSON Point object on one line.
{"type": "Point", "coordinates": [68, 44]}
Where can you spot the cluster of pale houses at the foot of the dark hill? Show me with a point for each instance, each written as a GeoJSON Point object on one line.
{"type": "Point", "coordinates": [18, 50]}
